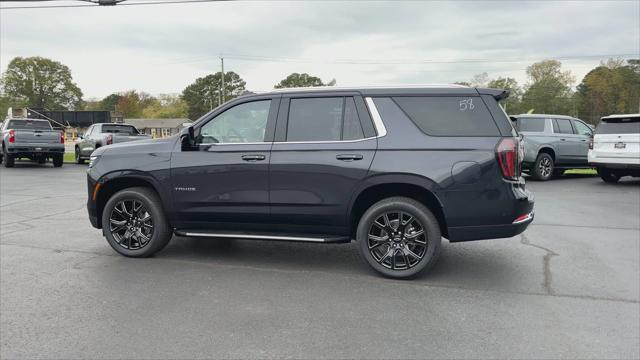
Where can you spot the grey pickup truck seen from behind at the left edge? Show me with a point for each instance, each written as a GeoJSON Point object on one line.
{"type": "Point", "coordinates": [33, 139]}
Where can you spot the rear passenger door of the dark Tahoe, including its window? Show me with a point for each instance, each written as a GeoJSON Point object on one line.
{"type": "Point", "coordinates": [323, 148]}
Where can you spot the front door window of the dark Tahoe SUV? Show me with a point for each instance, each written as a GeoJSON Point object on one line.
{"type": "Point", "coordinates": [241, 124]}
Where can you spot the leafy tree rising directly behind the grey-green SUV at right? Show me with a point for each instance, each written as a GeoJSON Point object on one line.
{"type": "Point", "coordinates": [549, 89]}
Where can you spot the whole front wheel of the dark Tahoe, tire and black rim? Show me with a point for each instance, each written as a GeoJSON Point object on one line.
{"type": "Point", "coordinates": [135, 245]}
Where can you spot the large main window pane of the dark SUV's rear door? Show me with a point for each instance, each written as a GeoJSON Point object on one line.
{"type": "Point", "coordinates": [315, 119]}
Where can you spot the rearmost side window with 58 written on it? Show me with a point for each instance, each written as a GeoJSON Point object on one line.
{"type": "Point", "coordinates": [449, 116]}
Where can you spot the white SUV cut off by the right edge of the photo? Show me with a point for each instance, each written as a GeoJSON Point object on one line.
{"type": "Point", "coordinates": [615, 150]}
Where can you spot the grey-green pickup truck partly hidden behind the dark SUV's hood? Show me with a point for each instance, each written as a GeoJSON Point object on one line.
{"type": "Point", "coordinates": [99, 135]}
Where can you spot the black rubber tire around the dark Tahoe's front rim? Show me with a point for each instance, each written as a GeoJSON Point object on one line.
{"type": "Point", "coordinates": [158, 238]}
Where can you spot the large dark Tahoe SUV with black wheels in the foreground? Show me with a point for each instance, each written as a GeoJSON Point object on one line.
{"type": "Point", "coordinates": [395, 169]}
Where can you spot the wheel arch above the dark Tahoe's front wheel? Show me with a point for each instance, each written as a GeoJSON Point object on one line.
{"type": "Point", "coordinates": [114, 182]}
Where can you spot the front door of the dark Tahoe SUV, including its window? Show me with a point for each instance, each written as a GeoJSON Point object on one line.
{"type": "Point", "coordinates": [224, 182]}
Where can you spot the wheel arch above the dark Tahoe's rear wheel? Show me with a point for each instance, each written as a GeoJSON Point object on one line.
{"type": "Point", "coordinates": [380, 187]}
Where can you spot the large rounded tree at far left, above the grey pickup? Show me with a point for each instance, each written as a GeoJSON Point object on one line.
{"type": "Point", "coordinates": [41, 83]}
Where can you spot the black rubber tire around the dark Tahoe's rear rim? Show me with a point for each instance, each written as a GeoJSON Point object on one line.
{"type": "Point", "coordinates": [426, 219]}
